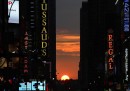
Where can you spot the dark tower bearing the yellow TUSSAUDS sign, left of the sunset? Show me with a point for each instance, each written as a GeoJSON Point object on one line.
{"type": "Point", "coordinates": [39, 17]}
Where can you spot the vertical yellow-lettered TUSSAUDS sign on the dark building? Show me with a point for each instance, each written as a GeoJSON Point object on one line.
{"type": "Point", "coordinates": [44, 35]}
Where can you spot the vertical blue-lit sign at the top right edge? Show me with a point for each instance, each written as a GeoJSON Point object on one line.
{"type": "Point", "coordinates": [126, 15]}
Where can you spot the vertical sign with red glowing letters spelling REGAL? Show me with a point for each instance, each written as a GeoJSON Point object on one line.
{"type": "Point", "coordinates": [110, 52]}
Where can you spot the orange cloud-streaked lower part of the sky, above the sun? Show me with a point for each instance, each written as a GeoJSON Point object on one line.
{"type": "Point", "coordinates": [68, 47]}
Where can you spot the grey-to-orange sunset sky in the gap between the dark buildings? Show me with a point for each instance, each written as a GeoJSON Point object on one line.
{"type": "Point", "coordinates": [68, 37]}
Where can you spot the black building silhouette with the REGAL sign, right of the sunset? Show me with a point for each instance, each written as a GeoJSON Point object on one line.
{"type": "Point", "coordinates": [97, 19]}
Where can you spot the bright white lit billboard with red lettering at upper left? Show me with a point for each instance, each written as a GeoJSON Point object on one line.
{"type": "Point", "coordinates": [13, 11]}
